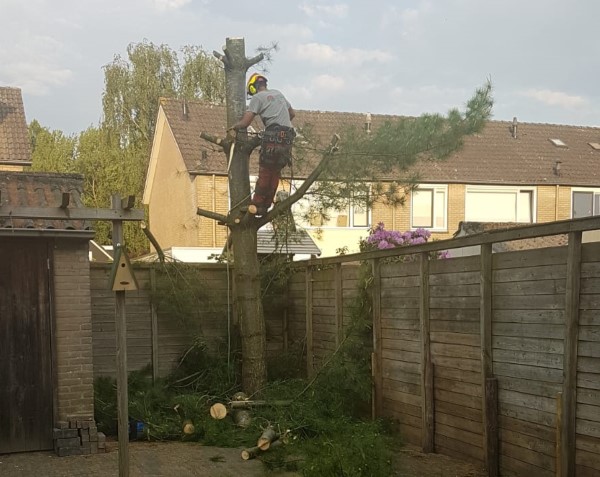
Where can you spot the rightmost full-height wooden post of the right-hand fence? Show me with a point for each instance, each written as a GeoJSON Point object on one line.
{"type": "Point", "coordinates": [569, 394]}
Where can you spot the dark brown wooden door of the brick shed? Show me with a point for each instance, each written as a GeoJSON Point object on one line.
{"type": "Point", "coordinates": [26, 389]}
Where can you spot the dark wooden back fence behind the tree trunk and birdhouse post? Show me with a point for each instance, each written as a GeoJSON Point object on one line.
{"type": "Point", "coordinates": [156, 336]}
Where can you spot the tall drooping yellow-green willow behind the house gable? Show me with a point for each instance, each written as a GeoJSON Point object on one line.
{"type": "Point", "coordinates": [132, 88]}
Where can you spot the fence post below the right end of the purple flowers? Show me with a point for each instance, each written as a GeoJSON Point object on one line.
{"type": "Point", "coordinates": [427, 399]}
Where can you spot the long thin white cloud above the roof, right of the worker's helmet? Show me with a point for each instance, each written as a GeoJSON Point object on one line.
{"type": "Point", "coordinates": [319, 53]}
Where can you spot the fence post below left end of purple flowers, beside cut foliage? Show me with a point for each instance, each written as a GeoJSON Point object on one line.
{"type": "Point", "coordinates": [376, 359]}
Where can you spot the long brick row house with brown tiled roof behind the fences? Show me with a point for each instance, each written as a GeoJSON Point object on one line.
{"type": "Point", "coordinates": [511, 172]}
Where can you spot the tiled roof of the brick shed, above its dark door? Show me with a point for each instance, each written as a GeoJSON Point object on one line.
{"type": "Point", "coordinates": [38, 190]}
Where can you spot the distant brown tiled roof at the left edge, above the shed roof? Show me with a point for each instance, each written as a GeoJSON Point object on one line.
{"type": "Point", "coordinates": [14, 137]}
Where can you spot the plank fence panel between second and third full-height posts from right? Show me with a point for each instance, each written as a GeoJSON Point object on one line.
{"type": "Point", "coordinates": [456, 355]}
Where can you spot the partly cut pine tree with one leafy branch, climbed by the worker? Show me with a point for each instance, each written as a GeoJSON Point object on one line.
{"type": "Point", "coordinates": [341, 171]}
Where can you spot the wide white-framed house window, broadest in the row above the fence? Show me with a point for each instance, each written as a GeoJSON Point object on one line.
{"type": "Point", "coordinates": [499, 204]}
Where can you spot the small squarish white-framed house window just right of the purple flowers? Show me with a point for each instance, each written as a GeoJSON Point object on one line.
{"type": "Point", "coordinates": [428, 207]}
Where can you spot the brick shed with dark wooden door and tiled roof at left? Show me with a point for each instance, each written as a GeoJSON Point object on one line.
{"type": "Point", "coordinates": [46, 376]}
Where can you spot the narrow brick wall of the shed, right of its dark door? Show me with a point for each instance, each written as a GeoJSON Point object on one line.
{"type": "Point", "coordinates": [73, 331]}
